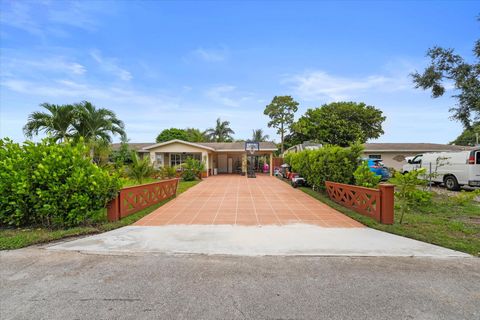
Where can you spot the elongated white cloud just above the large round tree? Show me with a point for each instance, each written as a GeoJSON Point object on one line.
{"type": "Point", "coordinates": [318, 85]}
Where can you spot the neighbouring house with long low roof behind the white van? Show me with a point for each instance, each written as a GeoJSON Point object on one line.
{"type": "Point", "coordinates": [394, 154]}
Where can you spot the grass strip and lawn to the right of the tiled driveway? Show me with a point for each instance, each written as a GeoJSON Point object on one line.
{"type": "Point", "coordinates": [442, 223]}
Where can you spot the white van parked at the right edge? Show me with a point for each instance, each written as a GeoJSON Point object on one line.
{"type": "Point", "coordinates": [454, 169]}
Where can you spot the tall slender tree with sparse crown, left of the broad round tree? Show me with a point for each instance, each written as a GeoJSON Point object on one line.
{"type": "Point", "coordinates": [281, 112]}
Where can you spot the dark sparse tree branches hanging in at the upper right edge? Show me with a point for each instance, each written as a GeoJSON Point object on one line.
{"type": "Point", "coordinates": [447, 67]}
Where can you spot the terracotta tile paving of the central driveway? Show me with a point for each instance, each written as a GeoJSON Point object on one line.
{"type": "Point", "coordinates": [233, 199]}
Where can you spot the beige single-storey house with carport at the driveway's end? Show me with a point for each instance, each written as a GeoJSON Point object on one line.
{"type": "Point", "coordinates": [225, 157]}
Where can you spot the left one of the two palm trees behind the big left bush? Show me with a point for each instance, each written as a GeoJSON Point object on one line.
{"type": "Point", "coordinates": [57, 122]}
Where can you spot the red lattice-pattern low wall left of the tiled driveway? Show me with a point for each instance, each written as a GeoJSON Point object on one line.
{"type": "Point", "coordinates": [136, 198]}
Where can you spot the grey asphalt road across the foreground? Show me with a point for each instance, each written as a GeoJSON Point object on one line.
{"type": "Point", "coordinates": [41, 284]}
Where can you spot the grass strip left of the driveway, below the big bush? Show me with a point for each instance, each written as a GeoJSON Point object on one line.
{"type": "Point", "coordinates": [19, 238]}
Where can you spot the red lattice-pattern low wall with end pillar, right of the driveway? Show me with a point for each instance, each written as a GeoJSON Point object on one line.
{"type": "Point", "coordinates": [373, 203]}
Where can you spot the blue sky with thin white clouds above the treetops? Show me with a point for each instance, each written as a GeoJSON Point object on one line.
{"type": "Point", "coordinates": [183, 64]}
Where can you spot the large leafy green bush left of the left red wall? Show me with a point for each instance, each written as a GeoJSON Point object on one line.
{"type": "Point", "coordinates": [53, 185]}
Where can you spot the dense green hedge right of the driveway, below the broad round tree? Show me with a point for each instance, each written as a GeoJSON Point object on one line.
{"type": "Point", "coordinates": [332, 163]}
